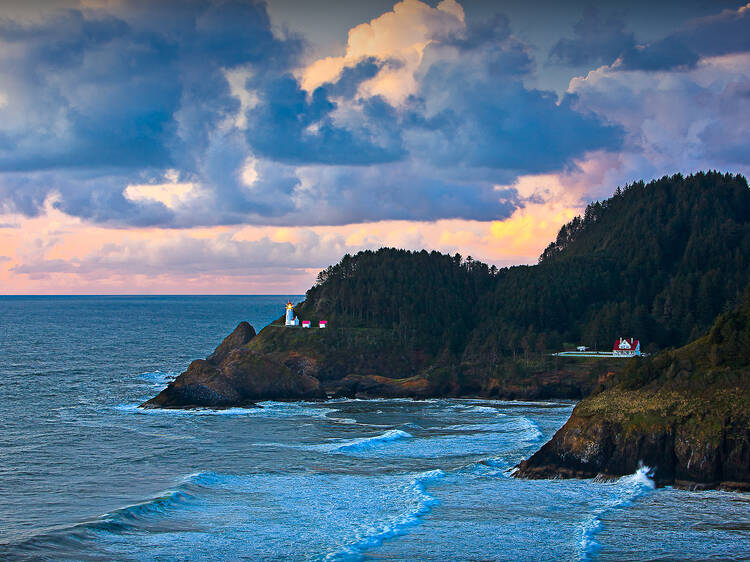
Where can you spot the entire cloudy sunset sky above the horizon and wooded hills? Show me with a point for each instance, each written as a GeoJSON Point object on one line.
{"type": "Point", "coordinates": [211, 146]}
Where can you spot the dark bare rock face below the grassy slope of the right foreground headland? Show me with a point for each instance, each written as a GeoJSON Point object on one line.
{"type": "Point", "coordinates": [703, 449]}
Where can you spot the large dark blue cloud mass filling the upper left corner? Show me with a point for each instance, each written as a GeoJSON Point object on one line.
{"type": "Point", "coordinates": [104, 100]}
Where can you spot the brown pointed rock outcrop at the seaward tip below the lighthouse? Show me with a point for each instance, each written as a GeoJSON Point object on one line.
{"type": "Point", "coordinates": [234, 375]}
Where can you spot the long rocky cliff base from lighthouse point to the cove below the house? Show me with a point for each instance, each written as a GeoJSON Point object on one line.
{"type": "Point", "coordinates": [282, 363]}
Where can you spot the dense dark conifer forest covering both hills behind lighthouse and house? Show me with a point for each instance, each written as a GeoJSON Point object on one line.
{"type": "Point", "coordinates": [656, 261]}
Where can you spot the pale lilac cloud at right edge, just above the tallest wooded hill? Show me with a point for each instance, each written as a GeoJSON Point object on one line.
{"type": "Point", "coordinates": [676, 121]}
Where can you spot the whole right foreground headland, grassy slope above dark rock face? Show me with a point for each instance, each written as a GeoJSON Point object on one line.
{"type": "Point", "coordinates": [684, 413]}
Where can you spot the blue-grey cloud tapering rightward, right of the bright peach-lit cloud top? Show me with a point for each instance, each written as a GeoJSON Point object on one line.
{"type": "Point", "coordinates": [489, 118]}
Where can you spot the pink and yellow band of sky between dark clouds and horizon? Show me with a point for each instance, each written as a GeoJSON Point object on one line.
{"type": "Point", "coordinates": [56, 253]}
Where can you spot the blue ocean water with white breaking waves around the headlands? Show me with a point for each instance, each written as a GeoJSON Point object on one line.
{"type": "Point", "coordinates": [85, 474]}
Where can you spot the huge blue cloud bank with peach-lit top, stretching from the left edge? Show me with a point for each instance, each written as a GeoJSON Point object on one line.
{"type": "Point", "coordinates": [184, 114]}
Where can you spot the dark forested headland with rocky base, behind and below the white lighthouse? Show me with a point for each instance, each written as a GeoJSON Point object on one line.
{"type": "Point", "coordinates": [657, 261]}
